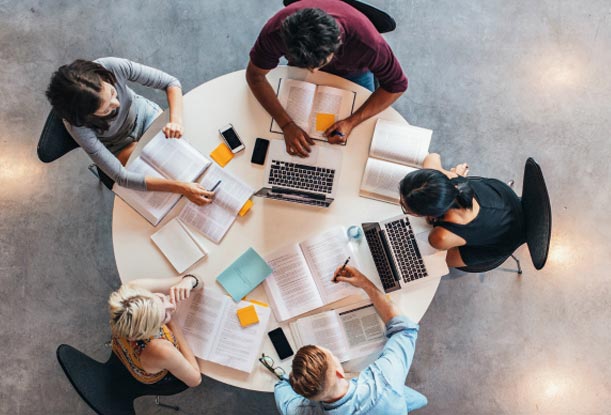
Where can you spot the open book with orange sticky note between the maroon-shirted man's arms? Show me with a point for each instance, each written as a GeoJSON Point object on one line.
{"type": "Point", "coordinates": [313, 107]}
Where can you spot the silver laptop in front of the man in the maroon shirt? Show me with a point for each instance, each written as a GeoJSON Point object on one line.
{"type": "Point", "coordinates": [311, 181]}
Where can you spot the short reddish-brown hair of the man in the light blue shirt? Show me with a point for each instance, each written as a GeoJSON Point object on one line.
{"type": "Point", "coordinates": [309, 372]}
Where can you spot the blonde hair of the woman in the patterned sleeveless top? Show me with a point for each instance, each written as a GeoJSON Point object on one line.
{"type": "Point", "coordinates": [134, 313]}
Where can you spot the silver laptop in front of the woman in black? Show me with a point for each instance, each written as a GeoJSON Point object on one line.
{"type": "Point", "coordinates": [402, 254]}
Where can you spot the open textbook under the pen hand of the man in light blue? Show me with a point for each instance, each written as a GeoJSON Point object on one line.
{"type": "Point", "coordinates": [302, 277]}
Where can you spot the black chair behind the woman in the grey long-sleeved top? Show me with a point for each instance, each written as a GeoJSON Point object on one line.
{"type": "Point", "coordinates": [55, 141]}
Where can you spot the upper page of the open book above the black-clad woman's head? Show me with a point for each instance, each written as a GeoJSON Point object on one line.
{"type": "Point", "coordinates": [400, 143]}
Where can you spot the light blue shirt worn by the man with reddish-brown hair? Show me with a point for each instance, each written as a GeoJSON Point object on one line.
{"type": "Point", "coordinates": [379, 389]}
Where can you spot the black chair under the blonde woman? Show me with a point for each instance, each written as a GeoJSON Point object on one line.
{"type": "Point", "coordinates": [108, 388]}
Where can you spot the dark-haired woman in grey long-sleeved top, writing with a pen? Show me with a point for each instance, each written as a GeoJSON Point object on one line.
{"type": "Point", "coordinates": [106, 118]}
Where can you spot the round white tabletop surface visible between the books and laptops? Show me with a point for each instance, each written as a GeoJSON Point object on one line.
{"type": "Point", "coordinates": [270, 224]}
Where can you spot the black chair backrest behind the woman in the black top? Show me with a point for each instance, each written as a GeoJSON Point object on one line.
{"type": "Point", "coordinates": [537, 213]}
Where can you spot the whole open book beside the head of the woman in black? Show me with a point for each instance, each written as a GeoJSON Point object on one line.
{"type": "Point", "coordinates": [396, 150]}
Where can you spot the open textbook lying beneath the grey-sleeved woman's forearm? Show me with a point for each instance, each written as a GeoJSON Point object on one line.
{"type": "Point", "coordinates": [173, 159]}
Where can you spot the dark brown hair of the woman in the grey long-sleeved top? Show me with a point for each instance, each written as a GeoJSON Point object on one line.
{"type": "Point", "coordinates": [74, 93]}
